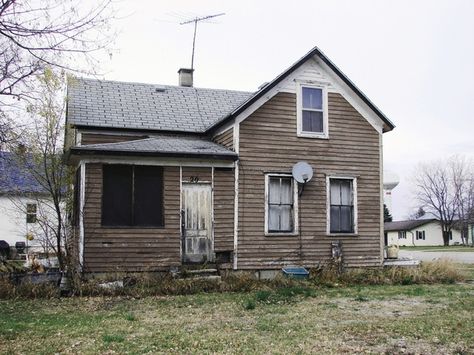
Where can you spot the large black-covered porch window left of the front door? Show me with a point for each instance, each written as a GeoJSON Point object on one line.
{"type": "Point", "coordinates": [132, 196]}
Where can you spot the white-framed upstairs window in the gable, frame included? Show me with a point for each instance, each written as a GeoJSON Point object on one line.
{"type": "Point", "coordinates": [312, 112]}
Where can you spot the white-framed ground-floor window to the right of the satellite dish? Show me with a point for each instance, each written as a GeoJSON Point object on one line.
{"type": "Point", "coordinates": [342, 206]}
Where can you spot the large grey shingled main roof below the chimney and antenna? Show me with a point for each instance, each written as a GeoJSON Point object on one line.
{"type": "Point", "coordinates": [113, 104]}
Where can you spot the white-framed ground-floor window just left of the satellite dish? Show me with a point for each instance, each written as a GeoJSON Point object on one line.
{"type": "Point", "coordinates": [280, 216]}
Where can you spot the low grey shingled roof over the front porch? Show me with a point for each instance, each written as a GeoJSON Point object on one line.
{"type": "Point", "coordinates": [161, 145]}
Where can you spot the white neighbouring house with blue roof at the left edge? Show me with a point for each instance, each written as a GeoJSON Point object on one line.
{"type": "Point", "coordinates": [22, 203]}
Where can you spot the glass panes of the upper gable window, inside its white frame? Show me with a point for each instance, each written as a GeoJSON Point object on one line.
{"type": "Point", "coordinates": [312, 110]}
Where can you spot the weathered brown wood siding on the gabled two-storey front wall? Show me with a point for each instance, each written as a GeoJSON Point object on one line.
{"type": "Point", "coordinates": [269, 143]}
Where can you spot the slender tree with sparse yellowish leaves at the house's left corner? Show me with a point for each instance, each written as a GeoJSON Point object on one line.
{"type": "Point", "coordinates": [42, 158]}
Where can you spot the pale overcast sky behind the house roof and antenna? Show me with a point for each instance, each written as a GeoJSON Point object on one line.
{"type": "Point", "coordinates": [413, 59]}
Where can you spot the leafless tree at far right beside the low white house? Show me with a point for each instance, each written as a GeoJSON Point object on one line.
{"type": "Point", "coordinates": [443, 189]}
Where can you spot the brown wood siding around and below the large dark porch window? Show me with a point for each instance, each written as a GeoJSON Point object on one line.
{"type": "Point", "coordinates": [130, 249]}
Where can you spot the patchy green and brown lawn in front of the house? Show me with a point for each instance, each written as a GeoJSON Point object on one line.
{"type": "Point", "coordinates": [430, 319]}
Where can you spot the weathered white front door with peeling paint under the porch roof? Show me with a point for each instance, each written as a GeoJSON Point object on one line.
{"type": "Point", "coordinates": [196, 222]}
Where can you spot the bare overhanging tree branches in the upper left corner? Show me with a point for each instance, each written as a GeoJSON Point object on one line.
{"type": "Point", "coordinates": [35, 34]}
